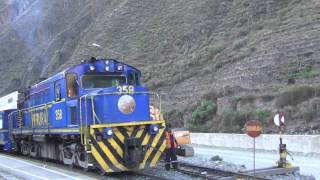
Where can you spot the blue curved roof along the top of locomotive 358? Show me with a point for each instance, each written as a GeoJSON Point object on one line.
{"type": "Point", "coordinates": [45, 83]}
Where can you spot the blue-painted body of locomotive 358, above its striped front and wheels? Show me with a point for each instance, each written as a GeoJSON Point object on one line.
{"type": "Point", "coordinates": [51, 105]}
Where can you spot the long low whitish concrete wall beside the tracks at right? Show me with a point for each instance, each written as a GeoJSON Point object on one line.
{"type": "Point", "coordinates": [295, 143]}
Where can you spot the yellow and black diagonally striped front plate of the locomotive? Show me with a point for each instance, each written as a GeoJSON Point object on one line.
{"type": "Point", "coordinates": [128, 148]}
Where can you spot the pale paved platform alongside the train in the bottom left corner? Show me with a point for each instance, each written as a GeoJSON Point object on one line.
{"type": "Point", "coordinates": [14, 168]}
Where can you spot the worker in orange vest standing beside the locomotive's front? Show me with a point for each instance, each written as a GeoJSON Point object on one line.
{"type": "Point", "coordinates": [171, 151]}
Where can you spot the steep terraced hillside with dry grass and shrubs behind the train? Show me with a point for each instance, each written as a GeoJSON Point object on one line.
{"type": "Point", "coordinates": [242, 55]}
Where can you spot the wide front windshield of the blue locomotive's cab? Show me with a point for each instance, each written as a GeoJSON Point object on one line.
{"type": "Point", "coordinates": [101, 81]}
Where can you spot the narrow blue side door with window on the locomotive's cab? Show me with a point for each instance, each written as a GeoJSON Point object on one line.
{"type": "Point", "coordinates": [72, 99]}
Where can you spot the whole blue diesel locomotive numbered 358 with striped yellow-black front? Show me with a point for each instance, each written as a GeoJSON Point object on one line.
{"type": "Point", "coordinates": [92, 115]}
